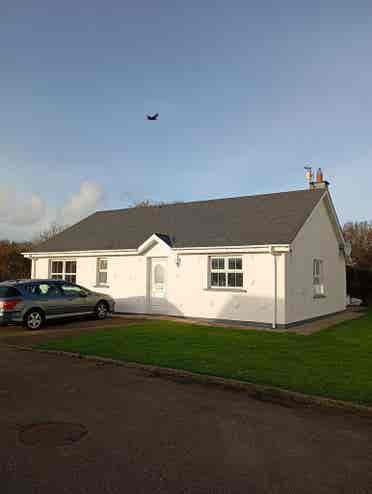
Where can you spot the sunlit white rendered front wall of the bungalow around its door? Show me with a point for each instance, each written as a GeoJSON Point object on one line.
{"type": "Point", "coordinates": [187, 285]}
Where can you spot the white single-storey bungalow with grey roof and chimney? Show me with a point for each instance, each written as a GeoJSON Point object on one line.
{"type": "Point", "coordinates": [272, 260]}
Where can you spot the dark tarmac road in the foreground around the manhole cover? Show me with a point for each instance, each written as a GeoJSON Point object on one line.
{"type": "Point", "coordinates": [151, 435]}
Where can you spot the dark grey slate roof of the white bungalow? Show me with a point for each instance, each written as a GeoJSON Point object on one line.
{"type": "Point", "coordinates": [249, 220]}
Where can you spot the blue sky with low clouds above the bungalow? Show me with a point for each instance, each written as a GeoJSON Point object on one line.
{"type": "Point", "coordinates": [248, 93]}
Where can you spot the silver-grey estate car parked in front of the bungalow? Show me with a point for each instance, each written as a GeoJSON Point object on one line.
{"type": "Point", "coordinates": [33, 302]}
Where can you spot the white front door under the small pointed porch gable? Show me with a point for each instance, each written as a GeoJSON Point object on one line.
{"type": "Point", "coordinates": [158, 285]}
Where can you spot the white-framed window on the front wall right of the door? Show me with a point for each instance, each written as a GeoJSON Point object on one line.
{"type": "Point", "coordinates": [226, 272]}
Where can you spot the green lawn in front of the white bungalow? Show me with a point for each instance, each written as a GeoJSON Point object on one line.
{"type": "Point", "coordinates": [336, 362]}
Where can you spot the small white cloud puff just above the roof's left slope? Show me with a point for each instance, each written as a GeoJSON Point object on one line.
{"type": "Point", "coordinates": [88, 199]}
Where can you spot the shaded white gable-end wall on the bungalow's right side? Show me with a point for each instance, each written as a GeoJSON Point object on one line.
{"type": "Point", "coordinates": [316, 240]}
